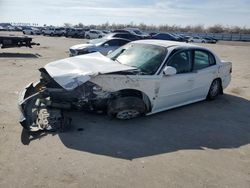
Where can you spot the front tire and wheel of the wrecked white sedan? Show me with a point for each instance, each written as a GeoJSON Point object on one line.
{"type": "Point", "coordinates": [125, 108]}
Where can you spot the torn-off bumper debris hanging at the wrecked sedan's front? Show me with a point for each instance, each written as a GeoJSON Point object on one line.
{"type": "Point", "coordinates": [37, 113]}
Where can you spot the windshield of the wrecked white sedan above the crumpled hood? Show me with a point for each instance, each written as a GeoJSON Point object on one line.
{"type": "Point", "coordinates": [145, 57]}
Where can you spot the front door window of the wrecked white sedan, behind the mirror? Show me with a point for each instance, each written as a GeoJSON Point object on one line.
{"type": "Point", "coordinates": [182, 61]}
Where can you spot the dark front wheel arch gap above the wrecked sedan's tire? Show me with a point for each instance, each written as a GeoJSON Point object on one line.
{"type": "Point", "coordinates": [134, 93]}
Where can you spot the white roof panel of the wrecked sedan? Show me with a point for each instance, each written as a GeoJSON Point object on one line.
{"type": "Point", "coordinates": [165, 43]}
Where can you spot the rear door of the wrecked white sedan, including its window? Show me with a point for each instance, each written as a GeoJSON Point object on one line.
{"type": "Point", "coordinates": [206, 71]}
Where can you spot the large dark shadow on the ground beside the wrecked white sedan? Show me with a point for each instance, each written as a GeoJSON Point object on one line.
{"type": "Point", "coordinates": [218, 124]}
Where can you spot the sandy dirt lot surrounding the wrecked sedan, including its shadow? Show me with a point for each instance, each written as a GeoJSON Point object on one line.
{"type": "Point", "coordinates": [206, 144]}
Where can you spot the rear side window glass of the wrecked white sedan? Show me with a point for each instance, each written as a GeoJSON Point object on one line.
{"type": "Point", "coordinates": [202, 59]}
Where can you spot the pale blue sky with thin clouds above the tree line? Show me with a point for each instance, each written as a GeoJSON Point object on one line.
{"type": "Point", "coordinates": [179, 12]}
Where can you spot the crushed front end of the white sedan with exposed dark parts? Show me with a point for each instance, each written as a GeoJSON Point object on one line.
{"type": "Point", "coordinates": [43, 104]}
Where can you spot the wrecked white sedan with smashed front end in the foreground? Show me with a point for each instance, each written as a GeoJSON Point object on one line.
{"type": "Point", "coordinates": [141, 78]}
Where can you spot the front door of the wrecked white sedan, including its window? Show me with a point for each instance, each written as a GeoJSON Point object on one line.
{"type": "Point", "coordinates": [177, 89]}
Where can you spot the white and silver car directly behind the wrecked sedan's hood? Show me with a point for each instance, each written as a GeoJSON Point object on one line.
{"type": "Point", "coordinates": [103, 45]}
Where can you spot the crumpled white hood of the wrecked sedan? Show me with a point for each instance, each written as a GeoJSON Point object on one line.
{"type": "Point", "coordinates": [74, 71]}
